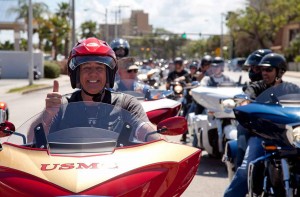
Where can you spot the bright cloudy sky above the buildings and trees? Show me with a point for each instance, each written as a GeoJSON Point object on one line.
{"type": "Point", "coordinates": [178, 16]}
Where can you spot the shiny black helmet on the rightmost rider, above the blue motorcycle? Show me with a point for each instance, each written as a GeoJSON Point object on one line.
{"type": "Point", "coordinates": [275, 60]}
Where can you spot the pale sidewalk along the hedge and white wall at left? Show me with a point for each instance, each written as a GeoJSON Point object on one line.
{"type": "Point", "coordinates": [7, 84]}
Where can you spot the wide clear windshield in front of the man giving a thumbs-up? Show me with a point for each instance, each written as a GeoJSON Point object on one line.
{"type": "Point", "coordinates": [83, 127]}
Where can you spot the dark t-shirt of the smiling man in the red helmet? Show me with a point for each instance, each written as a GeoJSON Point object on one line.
{"type": "Point", "coordinates": [91, 116]}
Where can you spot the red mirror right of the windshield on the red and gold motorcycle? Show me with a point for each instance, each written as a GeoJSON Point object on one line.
{"type": "Point", "coordinates": [172, 126]}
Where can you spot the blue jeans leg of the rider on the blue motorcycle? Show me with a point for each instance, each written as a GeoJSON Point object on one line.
{"type": "Point", "coordinates": [238, 185]}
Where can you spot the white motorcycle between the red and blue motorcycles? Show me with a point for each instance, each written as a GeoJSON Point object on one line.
{"type": "Point", "coordinates": [217, 124]}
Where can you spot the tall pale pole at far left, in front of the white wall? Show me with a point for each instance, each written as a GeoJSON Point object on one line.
{"type": "Point", "coordinates": [30, 50]}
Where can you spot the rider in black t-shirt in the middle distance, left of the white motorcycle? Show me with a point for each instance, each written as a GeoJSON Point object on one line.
{"type": "Point", "coordinates": [179, 74]}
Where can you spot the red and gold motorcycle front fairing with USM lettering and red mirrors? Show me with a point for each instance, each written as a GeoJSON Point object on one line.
{"type": "Point", "coordinates": [114, 166]}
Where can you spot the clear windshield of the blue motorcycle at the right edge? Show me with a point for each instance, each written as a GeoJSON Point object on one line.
{"type": "Point", "coordinates": [284, 93]}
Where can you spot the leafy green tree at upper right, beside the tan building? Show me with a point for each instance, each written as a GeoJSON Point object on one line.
{"type": "Point", "coordinates": [259, 23]}
